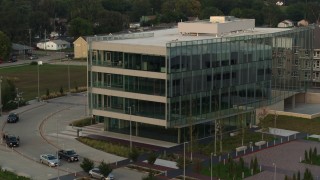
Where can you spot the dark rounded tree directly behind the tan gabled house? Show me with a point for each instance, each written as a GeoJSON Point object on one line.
{"type": "Point", "coordinates": [80, 27]}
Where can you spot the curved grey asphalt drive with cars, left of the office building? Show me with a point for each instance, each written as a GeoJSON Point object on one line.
{"type": "Point", "coordinates": [40, 130]}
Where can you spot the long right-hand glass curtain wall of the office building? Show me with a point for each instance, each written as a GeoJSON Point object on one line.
{"type": "Point", "coordinates": [209, 79]}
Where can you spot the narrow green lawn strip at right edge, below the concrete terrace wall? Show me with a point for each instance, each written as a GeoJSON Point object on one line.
{"type": "Point", "coordinates": [310, 126]}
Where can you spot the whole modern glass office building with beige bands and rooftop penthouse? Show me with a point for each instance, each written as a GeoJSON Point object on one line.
{"type": "Point", "coordinates": [158, 84]}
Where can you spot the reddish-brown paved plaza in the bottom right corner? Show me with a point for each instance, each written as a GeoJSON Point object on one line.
{"type": "Point", "coordinates": [286, 158]}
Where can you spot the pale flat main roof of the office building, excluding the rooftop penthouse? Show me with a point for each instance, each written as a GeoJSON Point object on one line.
{"type": "Point", "coordinates": [162, 37]}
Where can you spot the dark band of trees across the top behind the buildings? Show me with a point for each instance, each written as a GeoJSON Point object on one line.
{"type": "Point", "coordinates": [88, 17]}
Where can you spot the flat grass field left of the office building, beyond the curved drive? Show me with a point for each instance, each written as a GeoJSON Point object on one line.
{"type": "Point", "coordinates": [51, 77]}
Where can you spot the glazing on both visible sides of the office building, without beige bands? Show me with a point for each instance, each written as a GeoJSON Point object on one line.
{"type": "Point", "coordinates": [205, 80]}
